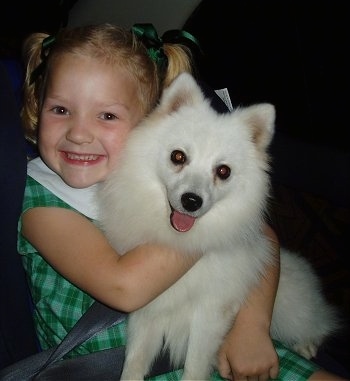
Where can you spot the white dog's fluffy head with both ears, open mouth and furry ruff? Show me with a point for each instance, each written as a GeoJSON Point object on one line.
{"type": "Point", "coordinates": [194, 169]}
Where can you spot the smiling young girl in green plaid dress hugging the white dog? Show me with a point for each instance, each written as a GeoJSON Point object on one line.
{"type": "Point", "coordinates": [85, 90]}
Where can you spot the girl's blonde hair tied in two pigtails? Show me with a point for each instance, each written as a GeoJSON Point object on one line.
{"type": "Point", "coordinates": [113, 45]}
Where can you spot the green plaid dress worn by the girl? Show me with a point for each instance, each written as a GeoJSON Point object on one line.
{"type": "Point", "coordinates": [58, 304]}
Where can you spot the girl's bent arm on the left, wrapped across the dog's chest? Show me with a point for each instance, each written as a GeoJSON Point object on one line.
{"type": "Point", "coordinates": [79, 251]}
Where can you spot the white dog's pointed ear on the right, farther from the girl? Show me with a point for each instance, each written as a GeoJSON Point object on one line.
{"type": "Point", "coordinates": [261, 120]}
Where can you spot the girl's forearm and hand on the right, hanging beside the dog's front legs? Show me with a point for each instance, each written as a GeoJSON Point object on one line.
{"type": "Point", "coordinates": [248, 350]}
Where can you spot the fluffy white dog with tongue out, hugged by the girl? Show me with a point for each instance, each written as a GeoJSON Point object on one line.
{"type": "Point", "coordinates": [196, 180]}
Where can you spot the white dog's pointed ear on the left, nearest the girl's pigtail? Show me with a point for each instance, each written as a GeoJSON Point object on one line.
{"type": "Point", "coordinates": [184, 90]}
